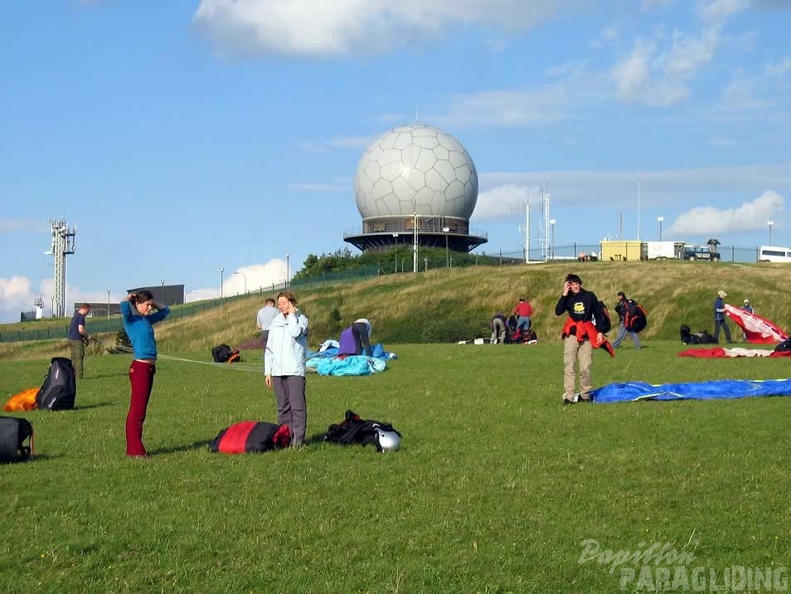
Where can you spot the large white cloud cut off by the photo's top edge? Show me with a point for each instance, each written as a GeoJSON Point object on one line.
{"type": "Point", "coordinates": [347, 27]}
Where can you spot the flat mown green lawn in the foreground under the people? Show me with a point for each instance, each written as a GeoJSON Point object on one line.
{"type": "Point", "coordinates": [494, 489]}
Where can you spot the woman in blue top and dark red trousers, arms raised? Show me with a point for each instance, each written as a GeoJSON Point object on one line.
{"type": "Point", "coordinates": [137, 311]}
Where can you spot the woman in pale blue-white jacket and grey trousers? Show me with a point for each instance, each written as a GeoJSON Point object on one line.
{"type": "Point", "coordinates": [284, 365]}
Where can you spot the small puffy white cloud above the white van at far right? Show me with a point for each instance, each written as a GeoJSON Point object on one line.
{"type": "Point", "coordinates": [711, 220]}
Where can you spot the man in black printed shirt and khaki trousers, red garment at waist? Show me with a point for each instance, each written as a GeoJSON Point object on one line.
{"type": "Point", "coordinates": [580, 337]}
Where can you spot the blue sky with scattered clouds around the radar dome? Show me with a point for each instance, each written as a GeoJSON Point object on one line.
{"type": "Point", "coordinates": [180, 138]}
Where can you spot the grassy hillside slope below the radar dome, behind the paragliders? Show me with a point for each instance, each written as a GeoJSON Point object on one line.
{"type": "Point", "coordinates": [449, 305]}
